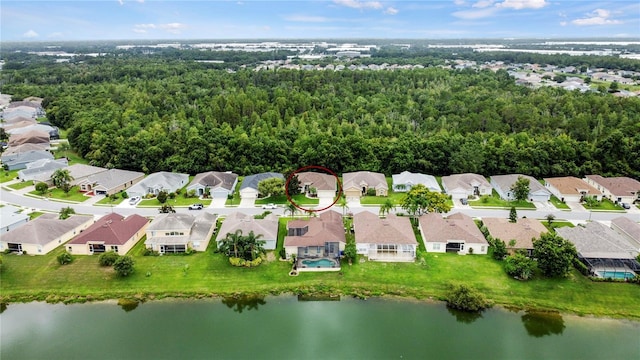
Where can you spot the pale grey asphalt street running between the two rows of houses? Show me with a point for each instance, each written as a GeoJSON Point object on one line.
{"type": "Point", "coordinates": [10, 197]}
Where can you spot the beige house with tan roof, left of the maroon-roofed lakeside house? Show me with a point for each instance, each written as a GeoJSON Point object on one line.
{"type": "Point", "coordinates": [43, 234]}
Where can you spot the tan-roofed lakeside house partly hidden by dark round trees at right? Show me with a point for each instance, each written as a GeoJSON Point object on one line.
{"type": "Point", "coordinates": [522, 233]}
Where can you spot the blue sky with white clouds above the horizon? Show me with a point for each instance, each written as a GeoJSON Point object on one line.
{"type": "Point", "coordinates": [52, 20]}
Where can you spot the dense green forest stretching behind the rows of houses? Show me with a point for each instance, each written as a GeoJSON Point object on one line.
{"type": "Point", "coordinates": [154, 113]}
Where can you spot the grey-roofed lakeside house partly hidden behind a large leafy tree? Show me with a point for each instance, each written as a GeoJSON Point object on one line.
{"type": "Point", "coordinates": [267, 228]}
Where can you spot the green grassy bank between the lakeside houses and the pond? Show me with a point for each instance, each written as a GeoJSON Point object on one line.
{"type": "Point", "coordinates": [206, 275]}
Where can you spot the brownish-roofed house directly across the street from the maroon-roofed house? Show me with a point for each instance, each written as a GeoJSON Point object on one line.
{"type": "Point", "coordinates": [110, 181]}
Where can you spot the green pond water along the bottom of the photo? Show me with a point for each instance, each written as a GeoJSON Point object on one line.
{"type": "Point", "coordinates": [287, 327]}
